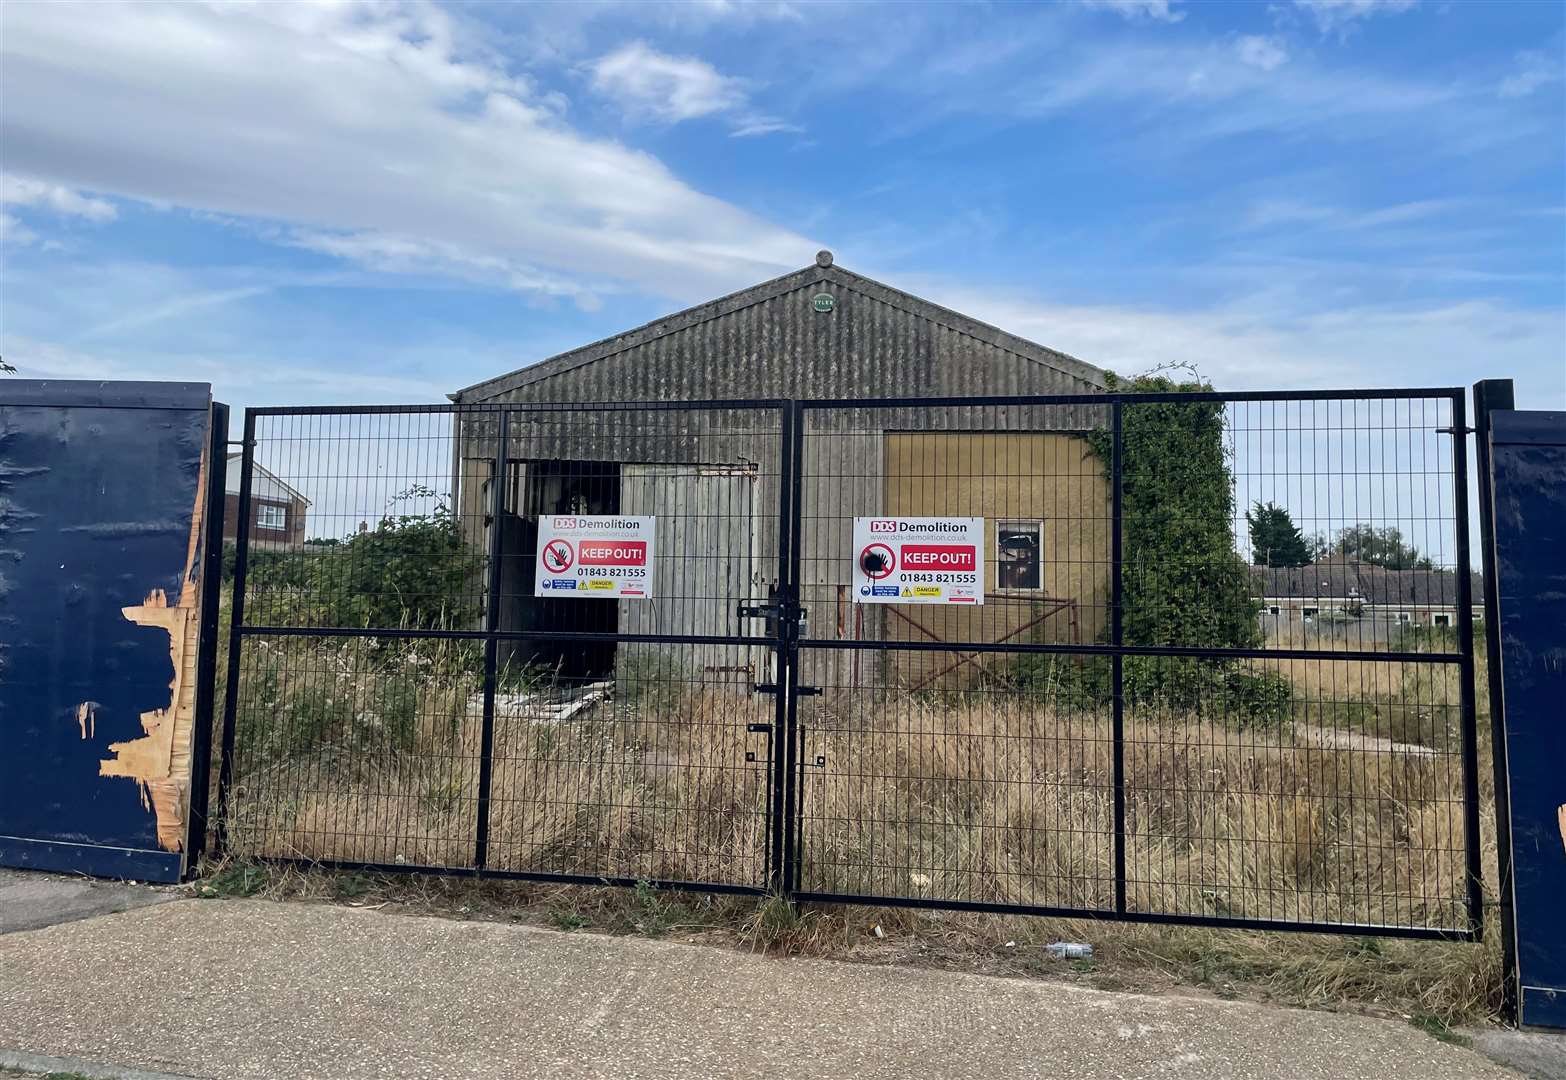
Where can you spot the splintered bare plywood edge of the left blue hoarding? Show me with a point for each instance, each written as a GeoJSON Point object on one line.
{"type": "Point", "coordinates": [161, 760]}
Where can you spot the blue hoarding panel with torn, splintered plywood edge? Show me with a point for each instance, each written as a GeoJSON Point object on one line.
{"type": "Point", "coordinates": [99, 488]}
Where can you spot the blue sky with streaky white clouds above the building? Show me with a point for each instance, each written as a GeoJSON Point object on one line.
{"type": "Point", "coordinates": [384, 204]}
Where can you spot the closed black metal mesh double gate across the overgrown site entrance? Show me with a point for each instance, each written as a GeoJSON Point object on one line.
{"type": "Point", "coordinates": [1222, 672]}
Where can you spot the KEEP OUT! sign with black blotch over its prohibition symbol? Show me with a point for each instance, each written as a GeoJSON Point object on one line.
{"type": "Point", "coordinates": [918, 561]}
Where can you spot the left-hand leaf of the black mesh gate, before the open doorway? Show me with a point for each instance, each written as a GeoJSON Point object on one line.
{"type": "Point", "coordinates": [510, 641]}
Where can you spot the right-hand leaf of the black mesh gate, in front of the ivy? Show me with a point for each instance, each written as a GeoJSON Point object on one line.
{"type": "Point", "coordinates": [1221, 671]}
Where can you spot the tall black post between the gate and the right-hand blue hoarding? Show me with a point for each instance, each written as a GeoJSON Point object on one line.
{"type": "Point", "coordinates": [1492, 395]}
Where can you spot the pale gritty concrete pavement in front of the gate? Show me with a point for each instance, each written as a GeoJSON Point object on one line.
{"type": "Point", "coordinates": [295, 992]}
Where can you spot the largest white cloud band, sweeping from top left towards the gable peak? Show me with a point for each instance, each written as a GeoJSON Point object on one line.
{"type": "Point", "coordinates": [358, 121]}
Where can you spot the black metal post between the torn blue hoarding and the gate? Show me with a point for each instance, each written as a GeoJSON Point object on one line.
{"type": "Point", "coordinates": [207, 657]}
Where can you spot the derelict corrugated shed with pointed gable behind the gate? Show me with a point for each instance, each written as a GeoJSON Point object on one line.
{"type": "Point", "coordinates": [712, 472]}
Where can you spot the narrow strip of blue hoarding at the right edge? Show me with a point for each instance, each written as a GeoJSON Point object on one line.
{"type": "Point", "coordinates": [1529, 452]}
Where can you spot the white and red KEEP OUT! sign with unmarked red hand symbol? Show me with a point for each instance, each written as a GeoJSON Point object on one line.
{"type": "Point", "coordinates": [594, 556]}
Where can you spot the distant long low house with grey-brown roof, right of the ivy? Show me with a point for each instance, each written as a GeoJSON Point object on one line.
{"type": "Point", "coordinates": [1349, 589]}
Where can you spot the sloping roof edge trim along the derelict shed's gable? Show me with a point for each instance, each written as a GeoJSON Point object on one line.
{"type": "Point", "coordinates": [817, 275]}
